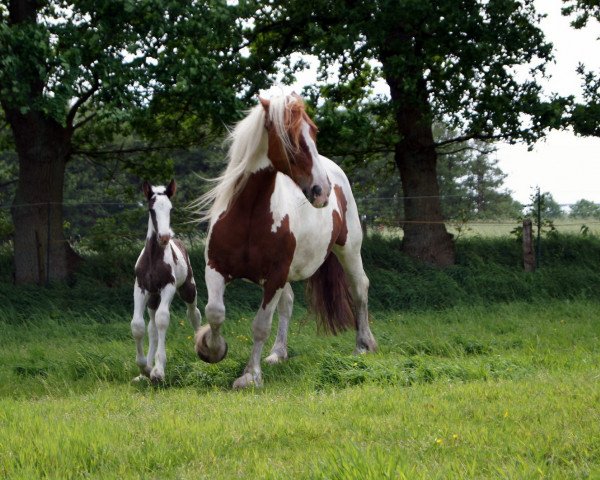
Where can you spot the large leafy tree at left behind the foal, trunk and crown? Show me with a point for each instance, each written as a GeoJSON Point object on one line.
{"type": "Point", "coordinates": [75, 73]}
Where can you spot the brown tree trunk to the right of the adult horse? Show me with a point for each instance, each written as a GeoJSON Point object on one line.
{"type": "Point", "coordinates": [425, 235]}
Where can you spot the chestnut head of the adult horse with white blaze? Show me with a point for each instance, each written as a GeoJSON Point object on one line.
{"type": "Point", "coordinates": [293, 149]}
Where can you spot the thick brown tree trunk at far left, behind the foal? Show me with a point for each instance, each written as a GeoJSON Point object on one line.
{"type": "Point", "coordinates": [41, 253]}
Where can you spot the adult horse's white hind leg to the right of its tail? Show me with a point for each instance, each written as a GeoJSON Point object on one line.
{"type": "Point", "coordinates": [359, 289]}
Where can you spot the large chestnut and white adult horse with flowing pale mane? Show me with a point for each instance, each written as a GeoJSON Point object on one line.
{"type": "Point", "coordinates": [282, 212]}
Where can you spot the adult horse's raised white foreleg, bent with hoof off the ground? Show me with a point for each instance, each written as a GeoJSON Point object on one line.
{"type": "Point", "coordinates": [210, 344]}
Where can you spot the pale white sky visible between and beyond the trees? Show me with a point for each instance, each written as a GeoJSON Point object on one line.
{"type": "Point", "coordinates": [563, 164]}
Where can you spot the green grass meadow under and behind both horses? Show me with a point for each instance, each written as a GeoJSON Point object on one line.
{"type": "Point", "coordinates": [483, 371]}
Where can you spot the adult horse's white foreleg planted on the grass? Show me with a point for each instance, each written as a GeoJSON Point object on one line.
{"type": "Point", "coordinates": [261, 327]}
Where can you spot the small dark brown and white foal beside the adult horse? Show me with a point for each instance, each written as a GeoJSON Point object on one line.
{"type": "Point", "coordinates": [162, 268]}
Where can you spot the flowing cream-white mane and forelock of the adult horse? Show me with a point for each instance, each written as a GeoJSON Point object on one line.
{"type": "Point", "coordinates": [248, 146]}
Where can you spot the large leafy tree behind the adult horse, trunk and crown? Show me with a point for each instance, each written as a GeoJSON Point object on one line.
{"type": "Point", "coordinates": [447, 60]}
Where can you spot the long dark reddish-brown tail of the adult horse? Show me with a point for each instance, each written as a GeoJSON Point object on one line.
{"type": "Point", "coordinates": [329, 298]}
